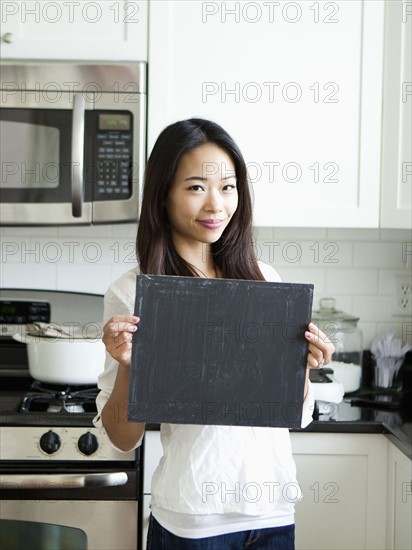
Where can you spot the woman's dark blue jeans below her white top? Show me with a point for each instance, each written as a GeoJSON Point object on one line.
{"type": "Point", "coordinates": [274, 538]}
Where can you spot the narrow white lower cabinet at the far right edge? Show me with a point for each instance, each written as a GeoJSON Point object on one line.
{"type": "Point", "coordinates": [399, 534]}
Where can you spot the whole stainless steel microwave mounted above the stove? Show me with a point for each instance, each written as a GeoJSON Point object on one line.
{"type": "Point", "coordinates": [73, 142]}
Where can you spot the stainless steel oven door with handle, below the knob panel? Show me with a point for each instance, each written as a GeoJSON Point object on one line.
{"type": "Point", "coordinates": [98, 506]}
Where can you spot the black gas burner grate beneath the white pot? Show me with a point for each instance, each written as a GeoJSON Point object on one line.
{"type": "Point", "coordinates": [58, 400]}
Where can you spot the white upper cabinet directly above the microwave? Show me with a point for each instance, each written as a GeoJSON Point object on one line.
{"type": "Point", "coordinates": [74, 30]}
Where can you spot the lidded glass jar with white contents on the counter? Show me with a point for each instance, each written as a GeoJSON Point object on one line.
{"type": "Point", "coordinates": [343, 331]}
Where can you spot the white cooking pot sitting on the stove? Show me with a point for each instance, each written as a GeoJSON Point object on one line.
{"type": "Point", "coordinates": [64, 361]}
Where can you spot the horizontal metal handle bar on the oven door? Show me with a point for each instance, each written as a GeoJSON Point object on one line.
{"type": "Point", "coordinates": [62, 481]}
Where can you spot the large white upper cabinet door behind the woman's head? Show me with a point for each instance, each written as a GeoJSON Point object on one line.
{"type": "Point", "coordinates": [297, 84]}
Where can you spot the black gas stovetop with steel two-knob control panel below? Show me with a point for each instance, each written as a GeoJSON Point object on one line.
{"type": "Point", "coordinates": [43, 422]}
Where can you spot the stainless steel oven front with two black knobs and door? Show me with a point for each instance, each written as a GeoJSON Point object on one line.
{"type": "Point", "coordinates": [95, 495]}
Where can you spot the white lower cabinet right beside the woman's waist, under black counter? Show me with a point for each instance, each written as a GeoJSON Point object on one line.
{"type": "Point", "coordinates": [343, 481]}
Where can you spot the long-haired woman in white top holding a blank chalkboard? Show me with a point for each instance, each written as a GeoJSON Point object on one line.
{"type": "Point", "coordinates": [216, 487]}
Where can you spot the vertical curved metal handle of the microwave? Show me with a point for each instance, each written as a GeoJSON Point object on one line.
{"type": "Point", "coordinates": [79, 107]}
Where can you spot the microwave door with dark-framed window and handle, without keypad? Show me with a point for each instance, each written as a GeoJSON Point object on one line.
{"type": "Point", "coordinates": [42, 159]}
